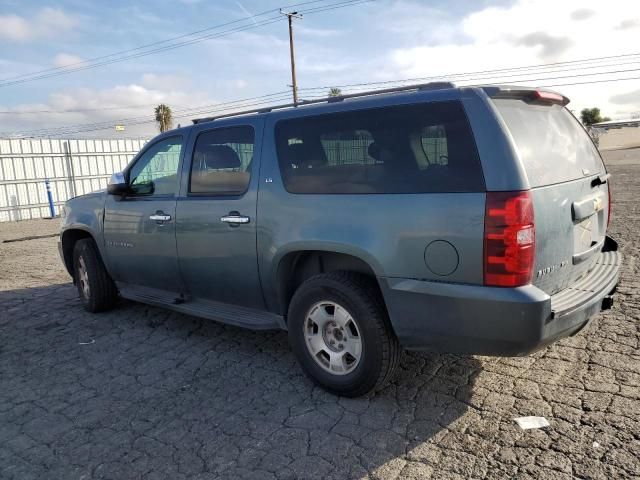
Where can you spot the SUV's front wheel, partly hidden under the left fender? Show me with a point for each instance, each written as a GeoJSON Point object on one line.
{"type": "Point", "coordinates": [97, 291]}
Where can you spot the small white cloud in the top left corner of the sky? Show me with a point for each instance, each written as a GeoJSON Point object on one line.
{"type": "Point", "coordinates": [46, 23]}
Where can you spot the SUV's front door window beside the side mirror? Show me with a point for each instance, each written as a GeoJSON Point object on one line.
{"type": "Point", "coordinates": [156, 172]}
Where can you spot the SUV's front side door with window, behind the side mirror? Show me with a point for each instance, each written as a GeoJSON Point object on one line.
{"type": "Point", "coordinates": [139, 228]}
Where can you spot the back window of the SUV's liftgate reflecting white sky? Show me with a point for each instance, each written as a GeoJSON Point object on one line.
{"type": "Point", "coordinates": [551, 144]}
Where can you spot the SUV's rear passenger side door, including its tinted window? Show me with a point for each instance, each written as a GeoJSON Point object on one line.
{"type": "Point", "coordinates": [216, 212]}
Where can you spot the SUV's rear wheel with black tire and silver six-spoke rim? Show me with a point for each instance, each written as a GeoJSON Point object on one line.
{"type": "Point", "coordinates": [340, 332]}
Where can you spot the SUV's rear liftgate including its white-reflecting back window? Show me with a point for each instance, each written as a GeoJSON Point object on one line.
{"type": "Point", "coordinates": [568, 187]}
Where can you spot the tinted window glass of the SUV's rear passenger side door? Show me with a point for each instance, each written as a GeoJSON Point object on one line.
{"type": "Point", "coordinates": [222, 161]}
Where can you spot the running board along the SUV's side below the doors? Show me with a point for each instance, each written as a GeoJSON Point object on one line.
{"type": "Point", "coordinates": [222, 312]}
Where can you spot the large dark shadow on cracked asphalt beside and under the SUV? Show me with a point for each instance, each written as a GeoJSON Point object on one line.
{"type": "Point", "coordinates": [140, 389]}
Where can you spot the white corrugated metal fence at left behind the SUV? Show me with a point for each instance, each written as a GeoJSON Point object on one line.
{"type": "Point", "coordinates": [73, 167]}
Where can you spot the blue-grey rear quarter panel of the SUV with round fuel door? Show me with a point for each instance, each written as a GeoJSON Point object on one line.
{"type": "Point", "coordinates": [390, 232]}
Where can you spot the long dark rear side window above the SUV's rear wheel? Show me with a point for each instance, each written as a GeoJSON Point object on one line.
{"type": "Point", "coordinates": [406, 149]}
